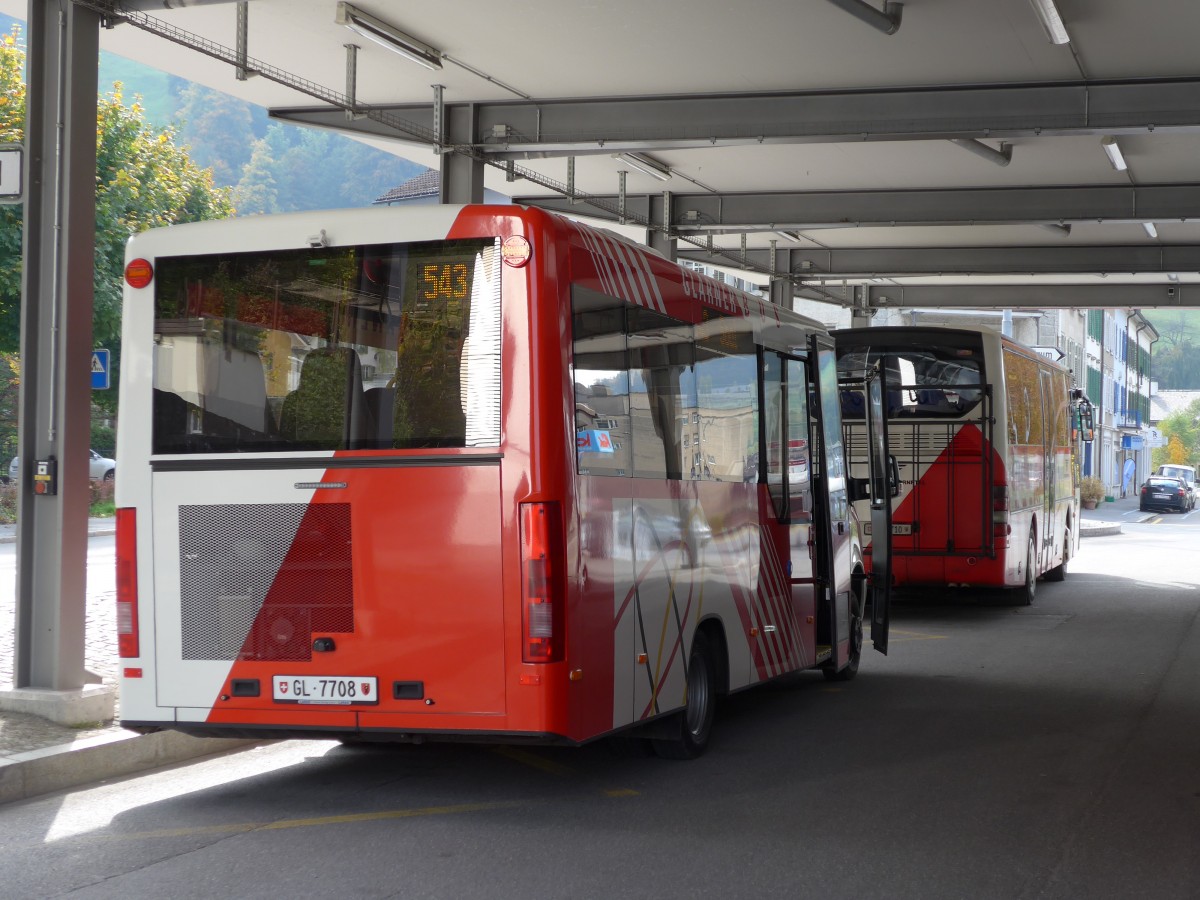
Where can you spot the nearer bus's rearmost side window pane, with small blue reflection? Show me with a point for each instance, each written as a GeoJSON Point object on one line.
{"type": "Point", "coordinates": [602, 385]}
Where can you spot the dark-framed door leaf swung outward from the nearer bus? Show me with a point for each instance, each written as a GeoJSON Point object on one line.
{"type": "Point", "coordinates": [885, 484]}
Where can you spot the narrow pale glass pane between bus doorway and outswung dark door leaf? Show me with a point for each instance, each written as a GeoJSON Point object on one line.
{"type": "Point", "coordinates": [831, 499]}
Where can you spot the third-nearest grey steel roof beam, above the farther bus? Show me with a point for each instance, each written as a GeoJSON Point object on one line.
{"type": "Point", "coordinates": [901, 262]}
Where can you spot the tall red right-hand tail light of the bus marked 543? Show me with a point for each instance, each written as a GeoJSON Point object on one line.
{"type": "Point", "coordinates": [543, 584]}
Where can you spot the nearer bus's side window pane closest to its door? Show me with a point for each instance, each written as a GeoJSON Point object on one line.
{"type": "Point", "coordinates": [728, 400]}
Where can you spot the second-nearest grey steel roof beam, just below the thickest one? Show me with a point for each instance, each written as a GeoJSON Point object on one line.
{"type": "Point", "coordinates": [797, 211]}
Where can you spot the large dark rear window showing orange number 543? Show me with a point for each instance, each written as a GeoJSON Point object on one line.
{"type": "Point", "coordinates": [332, 349]}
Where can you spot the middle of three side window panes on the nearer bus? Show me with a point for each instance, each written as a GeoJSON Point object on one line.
{"type": "Point", "coordinates": [663, 397]}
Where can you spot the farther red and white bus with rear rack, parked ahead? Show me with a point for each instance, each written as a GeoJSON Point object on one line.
{"type": "Point", "coordinates": [985, 434]}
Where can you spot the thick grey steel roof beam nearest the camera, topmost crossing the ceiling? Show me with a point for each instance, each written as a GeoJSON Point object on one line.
{"type": "Point", "coordinates": [539, 129]}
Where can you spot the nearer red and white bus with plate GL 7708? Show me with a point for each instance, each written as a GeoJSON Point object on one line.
{"type": "Point", "coordinates": [467, 473]}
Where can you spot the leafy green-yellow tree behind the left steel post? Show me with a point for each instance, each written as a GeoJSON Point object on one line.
{"type": "Point", "coordinates": [143, 181]}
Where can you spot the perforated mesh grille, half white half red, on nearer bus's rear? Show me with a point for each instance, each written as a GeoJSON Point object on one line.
{"type": "Point", "coordinates": [257, 581]}
